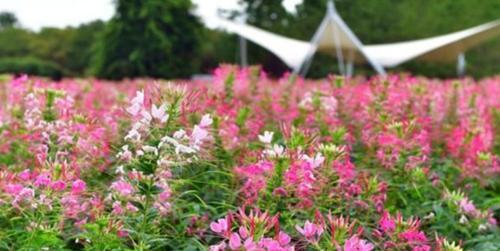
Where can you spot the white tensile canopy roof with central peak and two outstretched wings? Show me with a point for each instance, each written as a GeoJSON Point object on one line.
{"type": "Point", "coordinates": [334, 37]}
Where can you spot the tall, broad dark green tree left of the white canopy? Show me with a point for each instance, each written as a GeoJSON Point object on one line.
{"type": "Point", "coordinates": [154, 38]}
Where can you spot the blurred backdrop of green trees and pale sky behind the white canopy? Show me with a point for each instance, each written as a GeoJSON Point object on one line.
{"type": "Point", "coordinates": [175, 38]}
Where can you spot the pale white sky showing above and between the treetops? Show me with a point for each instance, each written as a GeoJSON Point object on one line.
{"type": "Point", "coordinates": [35, 14]}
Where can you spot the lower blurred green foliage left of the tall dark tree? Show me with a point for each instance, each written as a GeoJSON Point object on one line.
{"type": "Point", "coordinates": [64, 51]}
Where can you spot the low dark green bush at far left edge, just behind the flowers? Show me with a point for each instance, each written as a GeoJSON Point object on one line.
{"type": "Point", "coordinates": [31, 66]}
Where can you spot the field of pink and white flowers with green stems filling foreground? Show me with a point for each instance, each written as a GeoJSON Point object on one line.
{"type": "Point", "coordinates": [245, 162]}
